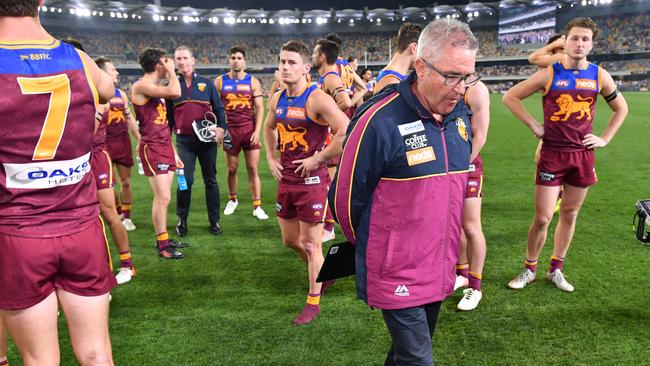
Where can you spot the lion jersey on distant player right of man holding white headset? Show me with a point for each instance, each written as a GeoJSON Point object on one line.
{"type": "Point", "coordinates": [237, 98]}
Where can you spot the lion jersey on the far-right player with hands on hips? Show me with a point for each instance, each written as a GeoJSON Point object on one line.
{"type": "Point", "coordinates": [569, 105]}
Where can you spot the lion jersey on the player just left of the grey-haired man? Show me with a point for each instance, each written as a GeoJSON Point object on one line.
{"type": "Point", "coordinates": [300, 136]}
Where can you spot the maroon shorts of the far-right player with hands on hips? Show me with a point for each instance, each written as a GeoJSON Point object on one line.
{"type": "Point", "coordinates": [576, 168]}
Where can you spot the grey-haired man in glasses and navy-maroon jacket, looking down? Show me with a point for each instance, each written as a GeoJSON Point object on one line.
{"type": "Point", "coordinates": [413, 137]}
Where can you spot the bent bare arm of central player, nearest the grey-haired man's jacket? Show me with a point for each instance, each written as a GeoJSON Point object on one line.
{"type": "Point", "coordinates": [324, 108]}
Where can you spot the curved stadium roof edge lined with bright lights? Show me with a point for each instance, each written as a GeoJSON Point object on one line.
{"type": "Point", "coordinates": [140, 10]}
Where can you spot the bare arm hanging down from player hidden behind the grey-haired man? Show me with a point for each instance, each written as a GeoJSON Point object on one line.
{"type": "Point", "coordinates": [479, 101]}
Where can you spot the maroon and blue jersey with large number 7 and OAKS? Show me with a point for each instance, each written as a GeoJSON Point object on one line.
{"type": "Point", "coordinates": [47, 121]}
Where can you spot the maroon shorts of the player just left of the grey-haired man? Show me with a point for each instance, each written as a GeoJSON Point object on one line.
{"type": "Point", "coordinates": [307, 203]}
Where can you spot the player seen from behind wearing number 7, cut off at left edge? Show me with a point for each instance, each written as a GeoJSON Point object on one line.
{"type": "Point", "coordinates": [51, 238]}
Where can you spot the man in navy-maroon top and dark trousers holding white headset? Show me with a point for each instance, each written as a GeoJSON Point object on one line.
{"type": "Point", "coordinates": [199, 101]}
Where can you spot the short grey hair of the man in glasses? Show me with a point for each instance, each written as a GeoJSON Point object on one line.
{"type": "Point", "coordinates": [445, 32]}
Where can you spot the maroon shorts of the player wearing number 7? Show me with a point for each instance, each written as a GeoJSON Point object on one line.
{"type": "Point", "coordinates": [32, 268]}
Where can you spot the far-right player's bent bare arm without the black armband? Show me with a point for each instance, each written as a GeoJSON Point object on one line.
{"type": "Point", "coordinates": [513, 99]}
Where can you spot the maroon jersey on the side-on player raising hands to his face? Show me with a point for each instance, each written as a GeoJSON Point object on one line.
{"type": "Point", "coordinates": [152, 116]}
